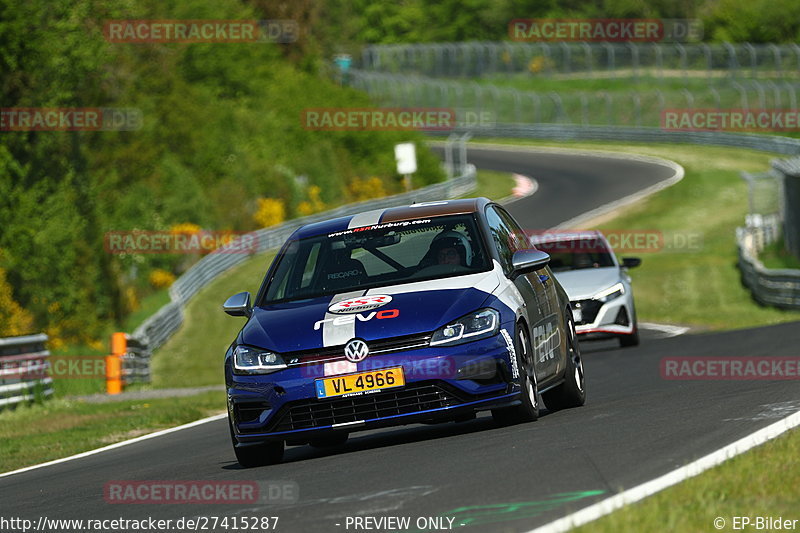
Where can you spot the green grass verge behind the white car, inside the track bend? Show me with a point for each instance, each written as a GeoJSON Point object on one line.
{"type": "Point", "coordinates": [696, 287]}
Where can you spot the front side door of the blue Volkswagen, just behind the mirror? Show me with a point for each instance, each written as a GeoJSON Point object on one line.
{"type": "Point", "coordinates": [507, 240]}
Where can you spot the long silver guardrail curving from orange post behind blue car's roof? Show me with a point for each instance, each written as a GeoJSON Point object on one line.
{"type": "Point", "coordinates": [158, 328]}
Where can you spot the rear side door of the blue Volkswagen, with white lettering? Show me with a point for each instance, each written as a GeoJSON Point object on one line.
{"type": "Point", "coordinates": [546, 337]}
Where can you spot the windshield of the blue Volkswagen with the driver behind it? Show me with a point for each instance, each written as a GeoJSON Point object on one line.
{"type": "Point", "coordinates": [384, 254]}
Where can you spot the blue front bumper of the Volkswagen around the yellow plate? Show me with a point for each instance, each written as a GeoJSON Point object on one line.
{"type": "Point", "coordinates": [440, 383]}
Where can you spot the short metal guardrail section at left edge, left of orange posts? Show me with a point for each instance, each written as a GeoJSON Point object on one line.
{"type": "Point", "coordinates": [23, 369]}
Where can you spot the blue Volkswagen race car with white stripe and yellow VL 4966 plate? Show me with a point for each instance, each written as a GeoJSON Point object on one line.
{"type": "Point", "coordinates": [424, 313]}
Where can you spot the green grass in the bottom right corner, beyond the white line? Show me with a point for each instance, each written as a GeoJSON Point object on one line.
{"type": "Point", "coordinates": [761, 482]}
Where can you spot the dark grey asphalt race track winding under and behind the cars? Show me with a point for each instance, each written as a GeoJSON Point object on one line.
{"type": "Point", "coordinates": [635, 425]}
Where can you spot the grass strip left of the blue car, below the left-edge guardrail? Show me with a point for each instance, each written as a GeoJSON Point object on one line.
{"type": "Point", "coordinates": [66, 427]}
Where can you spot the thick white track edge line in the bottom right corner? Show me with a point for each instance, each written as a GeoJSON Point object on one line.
{"type": "Point", "coordinates": [609, 505]}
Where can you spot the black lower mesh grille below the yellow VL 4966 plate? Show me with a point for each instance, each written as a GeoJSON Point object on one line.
{"type": "Point", "coordinates": [317, 413]}
